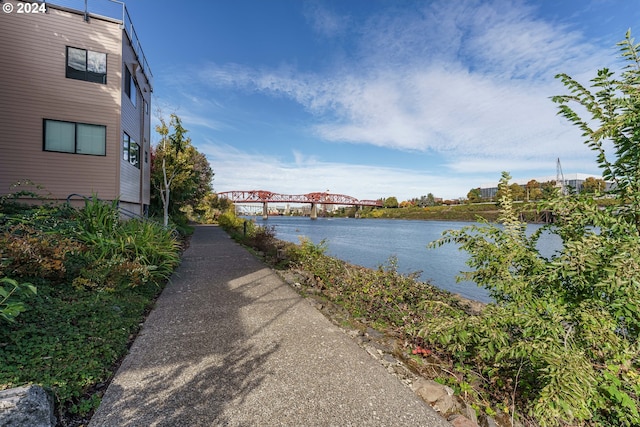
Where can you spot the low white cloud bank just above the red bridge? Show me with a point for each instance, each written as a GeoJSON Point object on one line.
{"type": "Point", "coordinates": [237, 170]}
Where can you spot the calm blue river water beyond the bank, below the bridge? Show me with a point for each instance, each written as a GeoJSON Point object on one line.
{"type": "Point", "coordinates": [371, 242]}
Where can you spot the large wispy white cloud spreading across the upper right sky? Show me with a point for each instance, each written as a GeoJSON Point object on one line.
{"type": "Point", "coordinates": [497, 104]}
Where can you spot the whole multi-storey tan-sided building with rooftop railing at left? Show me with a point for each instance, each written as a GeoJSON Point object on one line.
{"type": "Point", "coordinates": [74, 104]}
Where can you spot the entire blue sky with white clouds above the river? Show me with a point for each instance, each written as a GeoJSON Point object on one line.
{"type": "Point", "coordinates": [378, 98]}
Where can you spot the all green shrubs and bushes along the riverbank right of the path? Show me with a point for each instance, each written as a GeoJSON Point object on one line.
{"type": "Point", "coordinates": [559, 346]}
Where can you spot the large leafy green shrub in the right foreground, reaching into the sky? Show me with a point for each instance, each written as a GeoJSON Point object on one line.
{"type": "Point", "coordinates": [565, 328]}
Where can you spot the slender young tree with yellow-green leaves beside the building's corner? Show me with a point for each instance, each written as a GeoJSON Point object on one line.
{"type": "Point", "coordinates": [179, 173]}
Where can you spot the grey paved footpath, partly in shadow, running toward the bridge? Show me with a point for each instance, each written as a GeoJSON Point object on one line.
{"type": "Point", "coordinates": [230, 344]}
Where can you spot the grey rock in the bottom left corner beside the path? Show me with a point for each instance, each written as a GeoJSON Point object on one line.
{"type": "Point", "coordinates": [26, 406]}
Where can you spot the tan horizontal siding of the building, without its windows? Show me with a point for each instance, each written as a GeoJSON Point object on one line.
{"type": "Point", "coordinates": [35, 87]}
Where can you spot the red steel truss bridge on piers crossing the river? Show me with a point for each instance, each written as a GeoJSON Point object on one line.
{"type": "Point", "coordinates": [265, 197]}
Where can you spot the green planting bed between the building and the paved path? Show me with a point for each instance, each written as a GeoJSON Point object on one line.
{"type": "Point", "coordinates": [75, 285]}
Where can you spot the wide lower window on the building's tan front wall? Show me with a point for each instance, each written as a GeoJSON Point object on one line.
{"type": "Point", "coordinates": [76, 138]}
